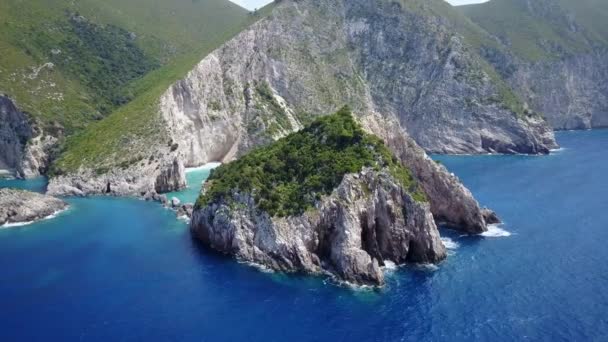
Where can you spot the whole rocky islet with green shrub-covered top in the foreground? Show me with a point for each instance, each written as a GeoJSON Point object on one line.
{"type": "Point", "coordinates": [328, 199]}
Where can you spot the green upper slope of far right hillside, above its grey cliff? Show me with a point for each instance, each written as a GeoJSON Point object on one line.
{"type": "Point", "coordinates": [544, 29]}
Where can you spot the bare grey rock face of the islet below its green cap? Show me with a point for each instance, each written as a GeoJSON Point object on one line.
{"type": "Point", "coordinates": [369, 219]}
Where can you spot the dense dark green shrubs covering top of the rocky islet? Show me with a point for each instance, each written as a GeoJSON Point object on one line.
{"type": "Point", "coordinates": [289, 176]}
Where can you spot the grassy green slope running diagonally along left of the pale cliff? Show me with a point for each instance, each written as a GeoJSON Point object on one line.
{"type": "Point", "coordinates": [135, 127]}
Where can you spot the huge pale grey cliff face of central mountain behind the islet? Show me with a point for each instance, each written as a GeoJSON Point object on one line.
{"type": "Point", "coordinates": [310, 57]}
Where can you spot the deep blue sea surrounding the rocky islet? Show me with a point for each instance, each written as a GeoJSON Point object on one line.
{"type": "Point", "coordinates": [121, 269]}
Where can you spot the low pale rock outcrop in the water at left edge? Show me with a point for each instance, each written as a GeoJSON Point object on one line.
{"type": "Point", "coordinates": [18, 206]}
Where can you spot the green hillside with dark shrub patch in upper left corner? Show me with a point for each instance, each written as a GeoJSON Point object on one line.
{"type": "Point", "coordinates": [68, 63]}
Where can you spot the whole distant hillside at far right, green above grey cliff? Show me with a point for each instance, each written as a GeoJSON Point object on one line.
{"type": "Point", "coordinates": [555, 55]}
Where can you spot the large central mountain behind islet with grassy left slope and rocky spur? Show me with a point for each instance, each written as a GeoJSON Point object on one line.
{"type": "Point", "coordinates": [398, 68]}
